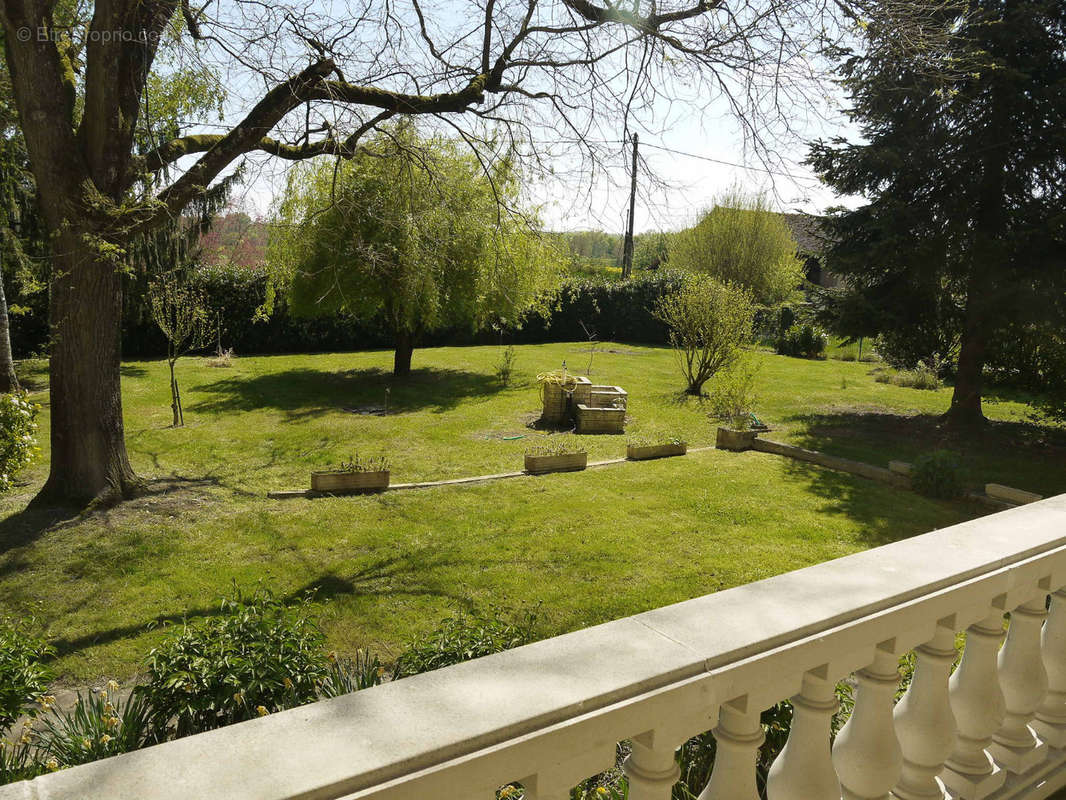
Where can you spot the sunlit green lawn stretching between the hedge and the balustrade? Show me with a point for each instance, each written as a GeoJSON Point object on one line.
{"type": "Point", "coordinates": [589, 547]}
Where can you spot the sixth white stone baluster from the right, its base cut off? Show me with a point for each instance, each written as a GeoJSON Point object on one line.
{"type": "Point", "coordinates": [804, 771]}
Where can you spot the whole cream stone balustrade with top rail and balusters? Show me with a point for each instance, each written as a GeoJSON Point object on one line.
{"type": "Point", "coordinates": [552, 714]}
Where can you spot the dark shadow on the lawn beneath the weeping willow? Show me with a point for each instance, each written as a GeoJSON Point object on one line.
{"type": "Point", "coordinates": [305, 392]}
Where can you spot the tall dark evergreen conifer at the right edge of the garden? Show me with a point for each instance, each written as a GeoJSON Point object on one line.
{"type": "Point", "coordinates": [961, 246]}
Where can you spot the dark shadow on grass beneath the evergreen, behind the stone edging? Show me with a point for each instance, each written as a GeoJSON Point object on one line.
{"type": "Point", "coordinates": [1021, 455]}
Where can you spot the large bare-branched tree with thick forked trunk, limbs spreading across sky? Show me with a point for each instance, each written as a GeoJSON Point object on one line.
{"type": "Point", "coordinates": [543, 78]}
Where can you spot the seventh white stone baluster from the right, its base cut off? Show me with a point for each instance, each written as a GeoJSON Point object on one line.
{"type": "Point", "coordinates": [738, 739]}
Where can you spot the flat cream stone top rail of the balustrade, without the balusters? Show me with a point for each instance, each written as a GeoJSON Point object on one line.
{"type": "Point", "coordinates": [373, 743]}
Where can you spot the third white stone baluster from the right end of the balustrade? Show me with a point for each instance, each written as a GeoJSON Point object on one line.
{"type": "Point", "coordinates": [977, 701]}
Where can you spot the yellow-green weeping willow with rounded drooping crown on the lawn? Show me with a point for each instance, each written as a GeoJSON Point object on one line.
{"type": "Point", "coordinates": [415, 232]}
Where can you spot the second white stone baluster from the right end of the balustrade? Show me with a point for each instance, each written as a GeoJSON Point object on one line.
{"type": "Point", "coordinates": [1025, 683]}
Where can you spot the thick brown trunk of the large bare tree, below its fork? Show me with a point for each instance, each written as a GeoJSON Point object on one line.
{"type": "Point", "coordinates": [89, 458]}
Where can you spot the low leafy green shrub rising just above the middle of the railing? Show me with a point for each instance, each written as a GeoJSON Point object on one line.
{"type": "Point", "coordinates": [464, 637]}
